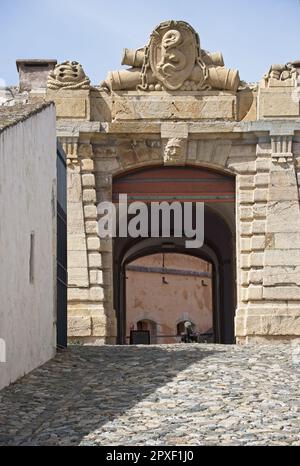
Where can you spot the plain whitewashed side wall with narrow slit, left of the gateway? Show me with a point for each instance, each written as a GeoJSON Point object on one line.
{"type": "Point", "coordinates": [27, 205]}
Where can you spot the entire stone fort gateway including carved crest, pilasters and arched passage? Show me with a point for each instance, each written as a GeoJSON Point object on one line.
{"type": "Point", "coordinates": [176, 124]}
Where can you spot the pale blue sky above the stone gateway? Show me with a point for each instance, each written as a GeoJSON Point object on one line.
{"type": "Point", "coordinates": [250, 34]}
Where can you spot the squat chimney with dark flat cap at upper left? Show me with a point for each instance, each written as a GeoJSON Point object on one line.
{"type": "Point", "coordinates": [33, 74]}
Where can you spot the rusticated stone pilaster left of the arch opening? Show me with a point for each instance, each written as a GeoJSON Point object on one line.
{"type": "Point", "coordinates": [87, 321]}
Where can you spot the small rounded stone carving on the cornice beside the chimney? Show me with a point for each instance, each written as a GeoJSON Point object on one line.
{"type": "Point", "coordinates": [68, 75]}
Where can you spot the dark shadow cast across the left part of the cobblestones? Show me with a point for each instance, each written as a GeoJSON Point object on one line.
{"type": "Point", "coordinates": [84, 388]}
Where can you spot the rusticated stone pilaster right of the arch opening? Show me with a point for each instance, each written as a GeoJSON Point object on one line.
{"type": "Point", "coordinates": [270, 257]}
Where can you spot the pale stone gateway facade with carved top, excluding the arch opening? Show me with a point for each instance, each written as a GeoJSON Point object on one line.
{"type": "Point", "coordinates": [178, 105]}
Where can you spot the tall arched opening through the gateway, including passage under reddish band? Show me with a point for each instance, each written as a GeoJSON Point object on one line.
{"type": "Point", "coordinates": [182, 184]}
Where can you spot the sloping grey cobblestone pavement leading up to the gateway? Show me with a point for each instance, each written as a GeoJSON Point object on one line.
{"type": "Point", "coordinates": [183, 394]}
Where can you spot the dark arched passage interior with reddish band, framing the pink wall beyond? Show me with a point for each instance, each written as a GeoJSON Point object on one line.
{"type": "Point", "coordinates": [220, 251]}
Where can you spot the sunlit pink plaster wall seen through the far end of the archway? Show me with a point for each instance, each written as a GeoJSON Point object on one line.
{"type": "Point", "coordinates": [183, 298]}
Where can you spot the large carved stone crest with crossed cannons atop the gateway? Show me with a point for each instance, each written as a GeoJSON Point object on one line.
{"type": "Point", "coordinates": [173, 60]}
